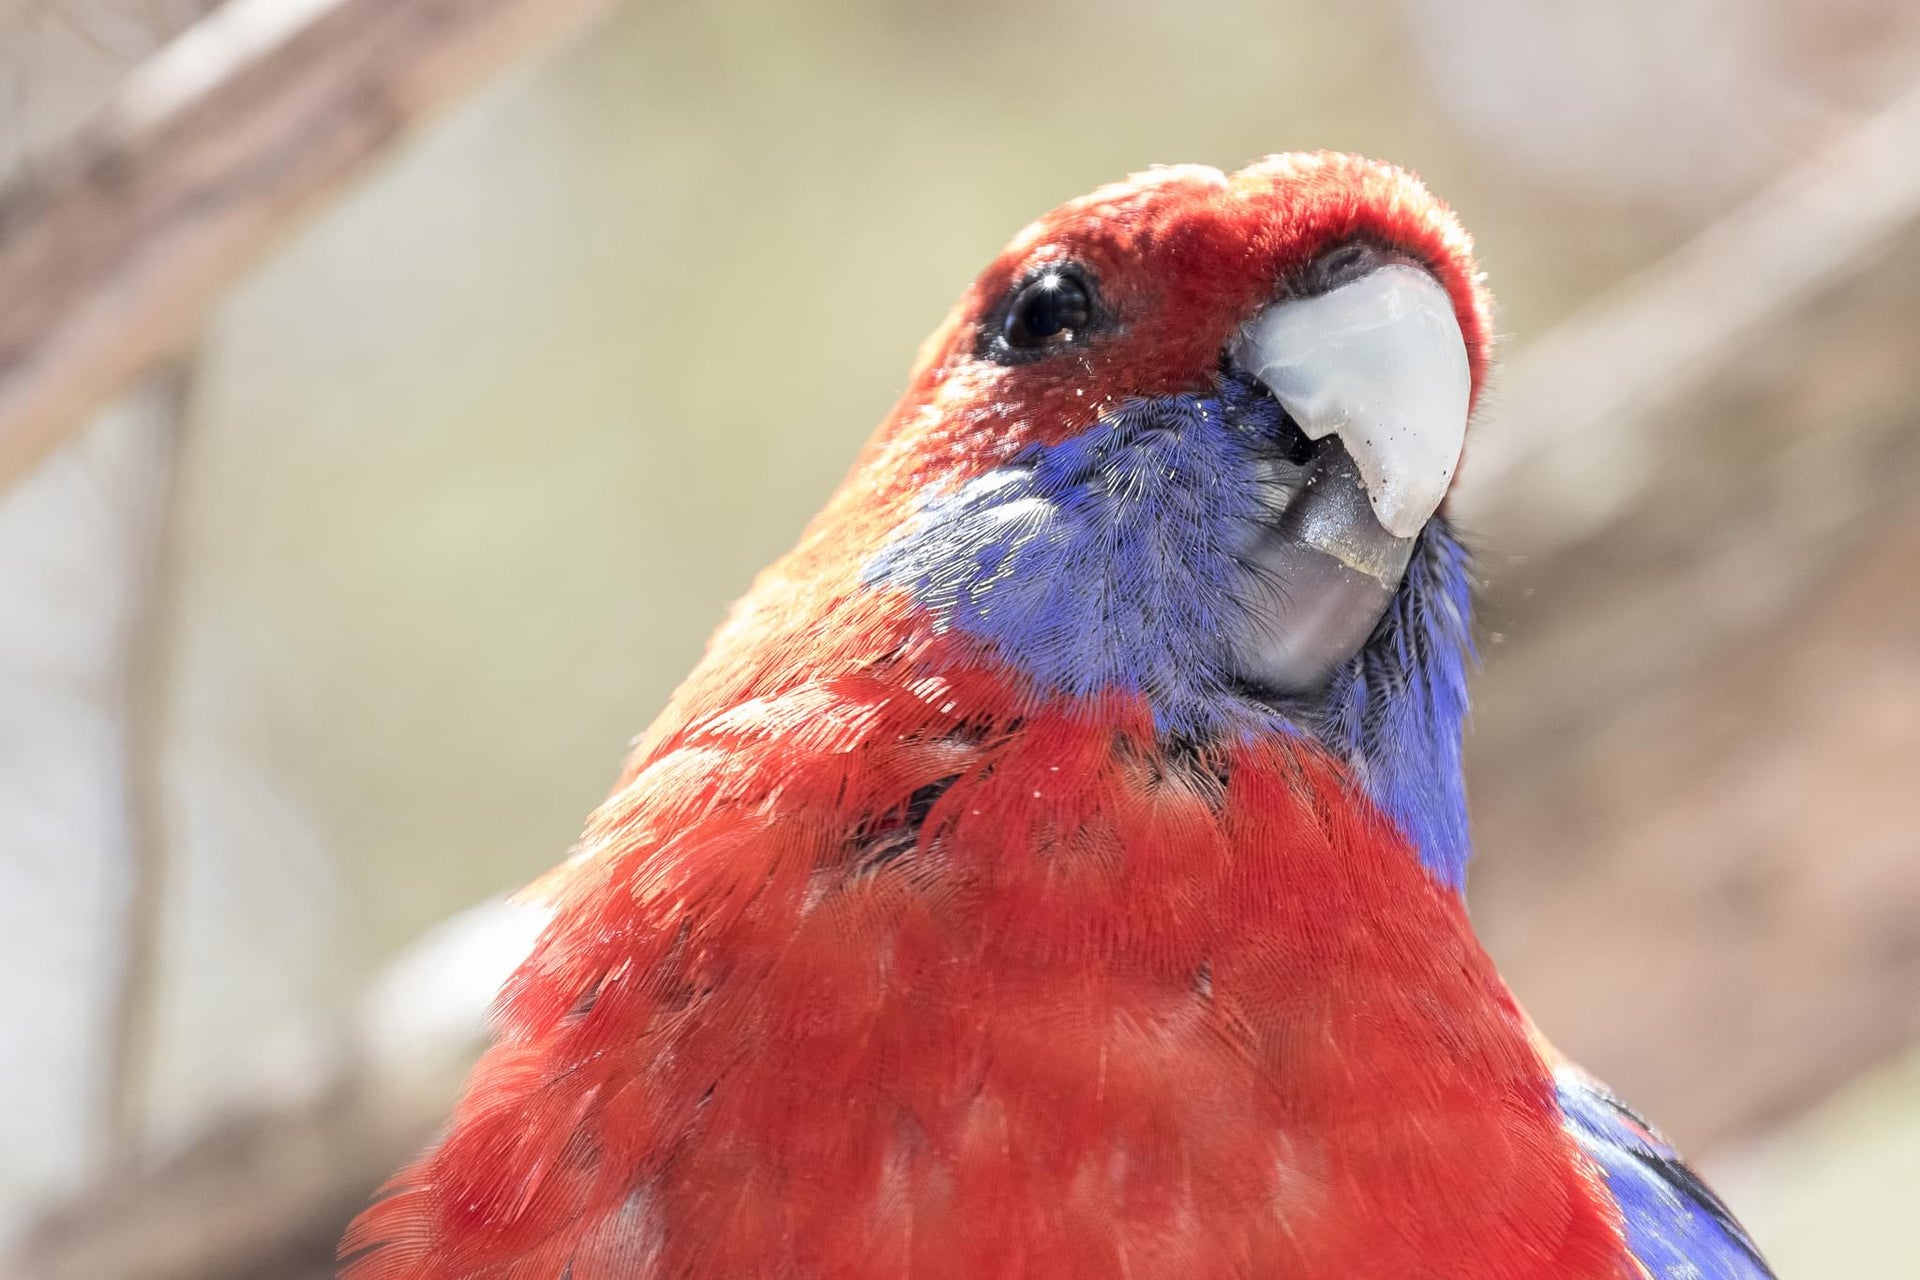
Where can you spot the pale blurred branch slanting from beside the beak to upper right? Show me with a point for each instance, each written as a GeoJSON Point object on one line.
{"type": "Point", "coordinates": [1566, 446]}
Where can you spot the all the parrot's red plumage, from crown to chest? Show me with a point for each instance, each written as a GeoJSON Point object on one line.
{"type": "Point", "coordinates": [880, 962]}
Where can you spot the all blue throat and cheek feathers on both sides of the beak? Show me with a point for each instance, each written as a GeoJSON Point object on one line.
{"type": "Point", "coordinates": [1113, 563]}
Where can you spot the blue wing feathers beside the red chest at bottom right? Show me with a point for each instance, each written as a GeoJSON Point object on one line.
{"type": "Point", "coordinates": [1675, 1225]}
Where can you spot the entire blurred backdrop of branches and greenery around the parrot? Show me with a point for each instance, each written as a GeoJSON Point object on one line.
{"type": "Point", "coordinates": [393, 396]}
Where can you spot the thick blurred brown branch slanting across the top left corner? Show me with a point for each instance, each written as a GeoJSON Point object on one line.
{"type": "Point", "coordinates": [112, 258]}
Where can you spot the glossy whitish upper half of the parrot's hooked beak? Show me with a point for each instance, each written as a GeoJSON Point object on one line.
{"type": "Point", "coordinates": [1381, 364]}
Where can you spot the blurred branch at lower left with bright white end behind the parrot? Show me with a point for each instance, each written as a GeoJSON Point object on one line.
{"type": "Point", "coordinates": [266, 1193]}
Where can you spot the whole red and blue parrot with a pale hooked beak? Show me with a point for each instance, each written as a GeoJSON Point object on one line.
{"type": "Point", "coordinates": [1055, 866]}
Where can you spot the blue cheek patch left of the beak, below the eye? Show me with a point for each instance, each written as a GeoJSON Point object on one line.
{"type": "Point", "coordinates": [1103, 563]}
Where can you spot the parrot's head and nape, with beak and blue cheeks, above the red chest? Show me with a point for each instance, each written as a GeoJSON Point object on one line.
{"type": "Point", "coordinates": [1178, 456]}
